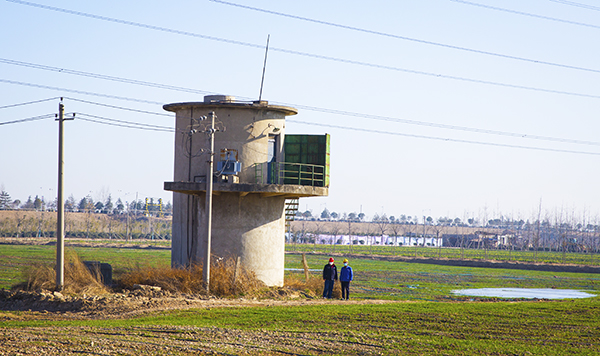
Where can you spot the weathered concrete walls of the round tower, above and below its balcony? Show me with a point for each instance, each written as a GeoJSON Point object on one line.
{"type": "Point", "coordinates": [250, 226]}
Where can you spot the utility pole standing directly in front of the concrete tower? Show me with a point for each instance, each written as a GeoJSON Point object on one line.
{"type": "Point", "coordinates": [208, 200]}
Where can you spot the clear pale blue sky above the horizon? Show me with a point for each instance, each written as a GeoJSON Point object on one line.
{"type": "Point", "coordinates": [419, 117]}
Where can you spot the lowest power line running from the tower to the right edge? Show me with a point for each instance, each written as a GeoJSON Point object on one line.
{"type": "Point", "coordinates": [444, 139]}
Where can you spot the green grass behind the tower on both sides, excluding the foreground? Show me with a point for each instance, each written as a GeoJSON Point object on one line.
{"type": "Point", "coordinates": [374, 279]}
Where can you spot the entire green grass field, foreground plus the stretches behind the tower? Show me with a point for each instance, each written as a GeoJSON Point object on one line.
{"type": "Point", "coordinates": [423, 318]}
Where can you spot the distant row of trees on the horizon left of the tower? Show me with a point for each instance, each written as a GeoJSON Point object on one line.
{"type": "Point", "coordinates": [87, 204]}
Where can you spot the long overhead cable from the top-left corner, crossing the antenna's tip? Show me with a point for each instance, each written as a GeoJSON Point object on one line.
{"type": "Point", "coordinates": [310, 55]}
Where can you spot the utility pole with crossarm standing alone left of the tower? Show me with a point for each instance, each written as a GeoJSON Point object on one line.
{"type": "Point", "coordinates": [60, 220]}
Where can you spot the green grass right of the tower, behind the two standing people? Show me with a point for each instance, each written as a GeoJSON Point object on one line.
{"type": "Point", "coordinates": [376, 279]}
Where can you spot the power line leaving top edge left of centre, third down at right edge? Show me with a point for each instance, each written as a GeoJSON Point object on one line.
{"type": "Point", "coordinates": [389, 35]}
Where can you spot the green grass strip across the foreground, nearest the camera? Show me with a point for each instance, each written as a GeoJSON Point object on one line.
{"type": "Point", "coordinates": [421, 328]}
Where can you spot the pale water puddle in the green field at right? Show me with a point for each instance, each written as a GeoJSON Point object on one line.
{"type": "Point", "coordinates": [527, 293]}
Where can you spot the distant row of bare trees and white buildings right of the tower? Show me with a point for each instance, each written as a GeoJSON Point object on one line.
{"type": "Point", "coordinates": [555, 232]}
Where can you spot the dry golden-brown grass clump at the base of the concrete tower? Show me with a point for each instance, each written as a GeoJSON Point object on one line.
{"type": "Point", "coordinates": [227, 278]}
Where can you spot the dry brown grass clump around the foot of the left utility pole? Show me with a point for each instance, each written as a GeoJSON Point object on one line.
{"type": "Point", "coordinates": [77, 277]}
